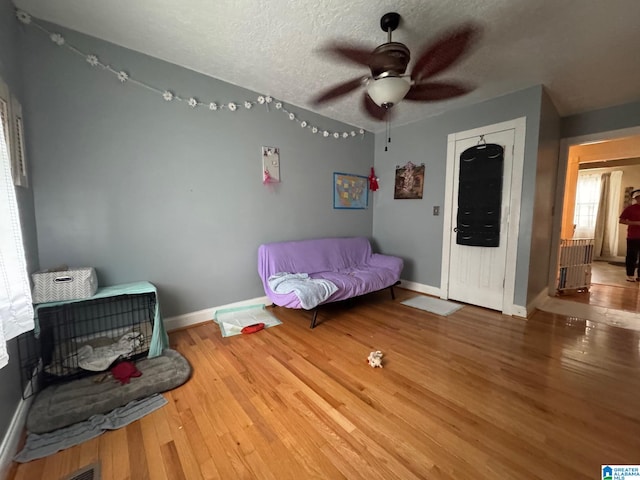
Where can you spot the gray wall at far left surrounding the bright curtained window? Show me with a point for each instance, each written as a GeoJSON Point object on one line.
{"type": "Point", "coordinates": [10, 393]}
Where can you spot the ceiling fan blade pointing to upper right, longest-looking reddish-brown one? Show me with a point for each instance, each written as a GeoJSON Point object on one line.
{"type": "Point", "coordinates": [444, 52]}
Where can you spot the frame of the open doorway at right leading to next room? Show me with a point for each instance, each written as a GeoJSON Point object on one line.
{"type": "Point", "coordinates": [563, 159]}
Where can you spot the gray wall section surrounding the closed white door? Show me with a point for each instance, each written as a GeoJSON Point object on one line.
{"type": "Point", "coordinates": [407, 227]}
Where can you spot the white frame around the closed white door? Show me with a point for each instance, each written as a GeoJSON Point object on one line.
{"type": "Point", "coordinates": [513, 220]}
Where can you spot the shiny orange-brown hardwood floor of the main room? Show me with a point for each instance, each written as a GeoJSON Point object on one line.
{"type": "Point", "coordinates": [471, 396]}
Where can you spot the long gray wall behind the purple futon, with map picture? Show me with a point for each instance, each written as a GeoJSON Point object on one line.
{"type": "Point", "coordinates": [144, 189]}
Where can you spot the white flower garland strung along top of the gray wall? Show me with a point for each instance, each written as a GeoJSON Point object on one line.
{"type": "Point", "coordinates": [168, 95]}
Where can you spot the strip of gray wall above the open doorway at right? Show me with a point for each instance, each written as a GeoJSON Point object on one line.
{"type": "Point", "coordinates": [604, 120]}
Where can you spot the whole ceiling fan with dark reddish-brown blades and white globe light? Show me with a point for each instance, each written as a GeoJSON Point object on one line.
{"type": "Point", "coordinates": [388, 84]}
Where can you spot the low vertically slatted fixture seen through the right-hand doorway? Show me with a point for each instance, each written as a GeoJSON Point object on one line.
{"type": "Point", "coordinates": [576, 256]}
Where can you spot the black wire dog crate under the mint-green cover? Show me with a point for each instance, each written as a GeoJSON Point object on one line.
{"type": "Point", "coordinates": [76, 339]}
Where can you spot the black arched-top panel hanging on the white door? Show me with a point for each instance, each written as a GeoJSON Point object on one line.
{"type": "Point", "coordinates": [480, 196]}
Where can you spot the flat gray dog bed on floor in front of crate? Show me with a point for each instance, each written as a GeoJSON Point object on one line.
{"type": "Point", "coordinates": [61, 405]}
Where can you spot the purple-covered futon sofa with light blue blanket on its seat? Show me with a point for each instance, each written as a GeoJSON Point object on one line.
{"type": "Point", "coordinates": [348, 264]}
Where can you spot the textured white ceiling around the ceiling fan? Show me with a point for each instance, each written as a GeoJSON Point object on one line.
{"type": "Point", "coordinates": [585, 52]}
